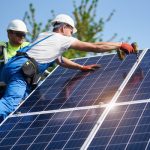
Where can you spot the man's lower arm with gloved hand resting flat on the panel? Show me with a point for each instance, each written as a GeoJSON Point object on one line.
{"type": "Point", "coordinates": [65, 62]}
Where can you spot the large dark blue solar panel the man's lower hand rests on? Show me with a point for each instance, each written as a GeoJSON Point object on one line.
{"type": "Point", "coordinates": [66, 88]}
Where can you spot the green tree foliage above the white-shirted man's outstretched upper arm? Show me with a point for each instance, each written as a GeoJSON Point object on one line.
{"type": "Point", "coordinates": [86, 23]}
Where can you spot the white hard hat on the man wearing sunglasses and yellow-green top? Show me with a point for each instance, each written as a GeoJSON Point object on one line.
{"type": "Point", "coordinates": [17, 25]}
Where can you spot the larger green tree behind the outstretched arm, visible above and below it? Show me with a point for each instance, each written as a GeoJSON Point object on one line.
{"type": "Point", "coordinates": [89, 28]}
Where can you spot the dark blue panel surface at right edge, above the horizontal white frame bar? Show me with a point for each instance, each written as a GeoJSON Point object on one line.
{"type": "Point", "coordinates": [138, 87]}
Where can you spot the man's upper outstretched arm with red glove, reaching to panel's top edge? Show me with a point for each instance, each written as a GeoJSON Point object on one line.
{"type": "Point", "coordinates": [100, 47]}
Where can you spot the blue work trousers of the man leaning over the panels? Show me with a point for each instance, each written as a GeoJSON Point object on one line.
{"type": "Point", "coordinates": [17, 88]}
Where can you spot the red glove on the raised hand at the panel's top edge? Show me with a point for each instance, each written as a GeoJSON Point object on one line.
{"type": "Point", "coordinates": [127, 48]}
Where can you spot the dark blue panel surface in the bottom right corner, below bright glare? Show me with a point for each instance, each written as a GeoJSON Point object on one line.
{"type": "Point", "coordinates": [125, 127]}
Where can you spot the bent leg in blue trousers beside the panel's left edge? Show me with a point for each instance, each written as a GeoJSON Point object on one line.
{"type": "Point", "coordinates": [14, 93]}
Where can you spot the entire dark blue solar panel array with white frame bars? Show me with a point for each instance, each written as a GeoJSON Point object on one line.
{"type": "Point", "coordinates": [71, 109]}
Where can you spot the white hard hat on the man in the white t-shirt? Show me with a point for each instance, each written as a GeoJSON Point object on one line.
{"type": "Point", "coordinates": [63, 18]}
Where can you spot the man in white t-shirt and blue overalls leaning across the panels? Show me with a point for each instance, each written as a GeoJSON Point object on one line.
{"type": "Point", "coordinates": [48, 48]}
